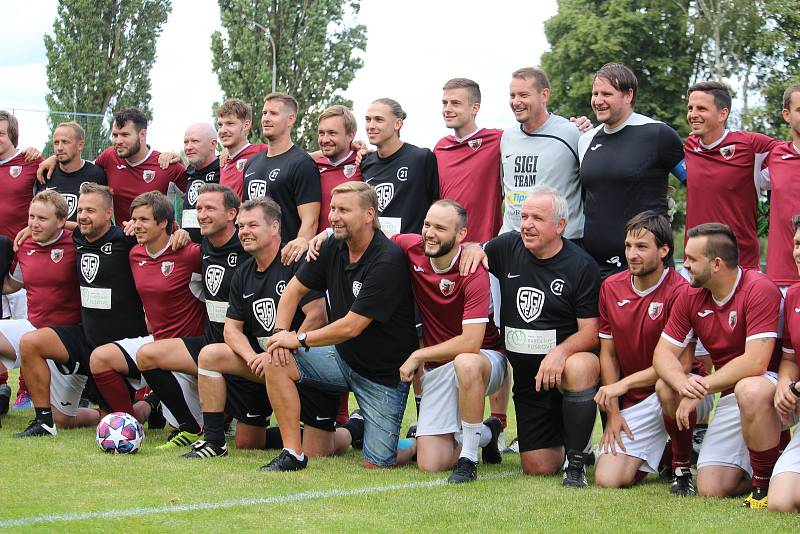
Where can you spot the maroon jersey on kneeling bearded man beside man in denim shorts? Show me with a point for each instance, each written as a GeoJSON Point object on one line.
{"type": "Point", "coordinates": [447, 300]}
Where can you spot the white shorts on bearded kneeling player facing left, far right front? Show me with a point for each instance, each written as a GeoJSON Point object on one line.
{"type": "Point", "coordinates": [724, 444]}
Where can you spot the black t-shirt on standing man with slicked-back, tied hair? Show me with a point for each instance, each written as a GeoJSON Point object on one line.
{"type": "Point", "coordinates": [407, 183]}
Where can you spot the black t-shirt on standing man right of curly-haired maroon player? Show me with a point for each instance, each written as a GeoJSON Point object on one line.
{"type": "Point", "coordinates": [291, 179]}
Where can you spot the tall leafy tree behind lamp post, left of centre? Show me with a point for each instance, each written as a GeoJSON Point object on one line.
{"type": "Point", "coordinates": [316, 43]}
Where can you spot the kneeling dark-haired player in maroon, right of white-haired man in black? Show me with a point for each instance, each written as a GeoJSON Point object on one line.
{"type": "Point", "coordinates": [634, 307]}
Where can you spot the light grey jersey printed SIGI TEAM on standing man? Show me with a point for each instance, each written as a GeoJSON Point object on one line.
{"type": "Point", "coordinates": [548, 156]}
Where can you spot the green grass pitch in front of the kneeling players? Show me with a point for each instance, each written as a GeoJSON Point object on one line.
{"type": "Point", "coordinates": [66, 484]}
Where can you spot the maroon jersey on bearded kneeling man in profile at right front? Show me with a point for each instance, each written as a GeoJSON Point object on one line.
{"type": "Point", "coordinates": [751, 311]}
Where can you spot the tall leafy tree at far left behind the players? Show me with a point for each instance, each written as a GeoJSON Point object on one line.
{"type": "Point", "coordinates": [99, 58]}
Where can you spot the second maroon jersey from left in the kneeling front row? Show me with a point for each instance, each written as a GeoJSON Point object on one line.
{"type": "Point", "coordinates": [163, 283]}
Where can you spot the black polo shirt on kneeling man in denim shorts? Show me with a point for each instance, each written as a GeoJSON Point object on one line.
{"type": "Point", "coordinates": [377, 286]}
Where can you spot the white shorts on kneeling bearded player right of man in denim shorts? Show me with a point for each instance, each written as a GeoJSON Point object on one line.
{"type": "Point", "coordinates": [438, 412]}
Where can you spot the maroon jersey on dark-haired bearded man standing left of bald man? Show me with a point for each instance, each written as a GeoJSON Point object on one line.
{"type": "Point", "coordinates": [128, 181]}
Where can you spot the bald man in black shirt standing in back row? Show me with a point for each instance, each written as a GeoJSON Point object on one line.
{"type": "Point", "coordinates": [200, 149]}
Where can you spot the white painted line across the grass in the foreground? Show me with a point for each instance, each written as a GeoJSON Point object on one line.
{"type": "Point", "coordinates": [278, 499]}
